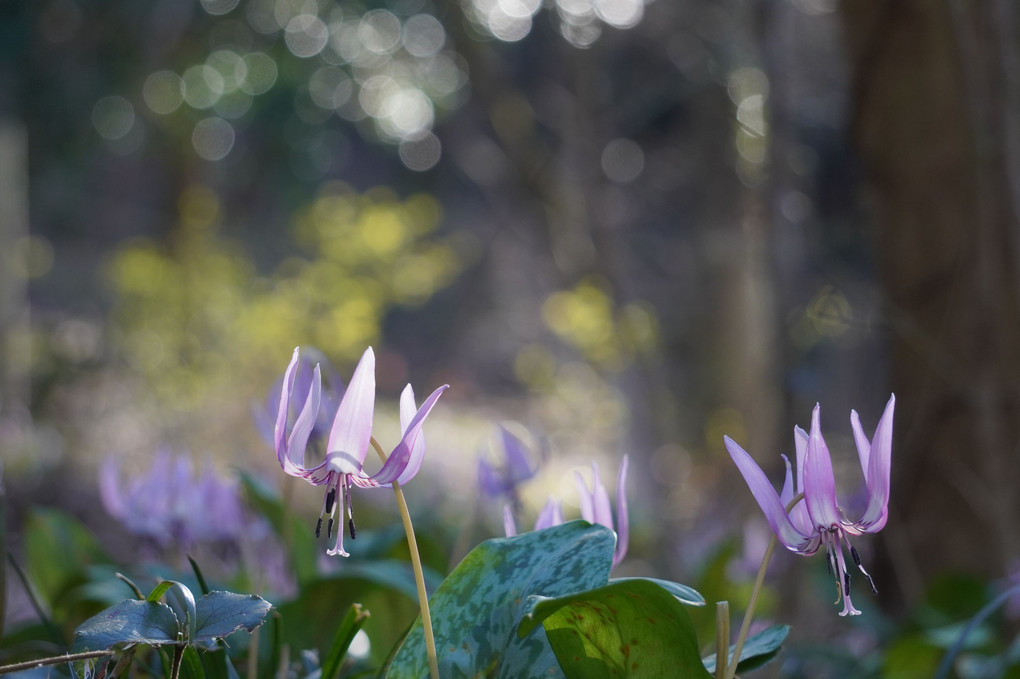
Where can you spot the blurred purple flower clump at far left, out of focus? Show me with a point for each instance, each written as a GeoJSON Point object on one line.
{"type": "Point", "coordinates": [170, 504]}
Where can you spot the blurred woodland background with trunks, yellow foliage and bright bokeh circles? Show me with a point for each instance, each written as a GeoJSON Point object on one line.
{"type": "Point", "coordinates": [624, 227]}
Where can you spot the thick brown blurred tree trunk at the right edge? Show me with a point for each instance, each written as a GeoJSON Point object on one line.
{"type": "Point", "coordinates": [935, 113]}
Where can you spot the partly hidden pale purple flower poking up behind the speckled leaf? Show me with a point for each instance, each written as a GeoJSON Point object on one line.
{"type": "Point", "coordinates": [595, 508]}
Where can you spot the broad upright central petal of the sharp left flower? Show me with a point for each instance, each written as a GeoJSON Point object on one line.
{"type": "Point", "coordinates": [352, 428]}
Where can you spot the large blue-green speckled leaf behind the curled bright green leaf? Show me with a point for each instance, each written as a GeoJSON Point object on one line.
{"type": "Point", "coordinates": [477, 610]}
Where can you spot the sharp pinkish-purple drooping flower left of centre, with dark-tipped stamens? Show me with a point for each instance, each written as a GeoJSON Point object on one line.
{"type": "Point", "coordinates": [350, 437]}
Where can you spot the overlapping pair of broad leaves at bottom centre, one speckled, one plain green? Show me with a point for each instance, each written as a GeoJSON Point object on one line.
{"type": "Point", "coordinates": [541, 604]}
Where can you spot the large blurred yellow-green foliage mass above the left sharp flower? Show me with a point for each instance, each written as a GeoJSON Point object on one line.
{"type": "Point", "coordinates": [183, 308]}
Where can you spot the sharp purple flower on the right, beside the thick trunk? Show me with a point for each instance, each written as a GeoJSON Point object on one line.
{"type": "Point", "coordinates": [820, 520]}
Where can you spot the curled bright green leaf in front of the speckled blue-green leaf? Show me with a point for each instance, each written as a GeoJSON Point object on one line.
{"type": "Point", "coordinates": [631, 629]}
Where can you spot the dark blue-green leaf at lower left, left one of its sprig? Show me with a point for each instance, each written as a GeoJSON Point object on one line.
{"type": "Point", "coordinates": [128, 623]}
